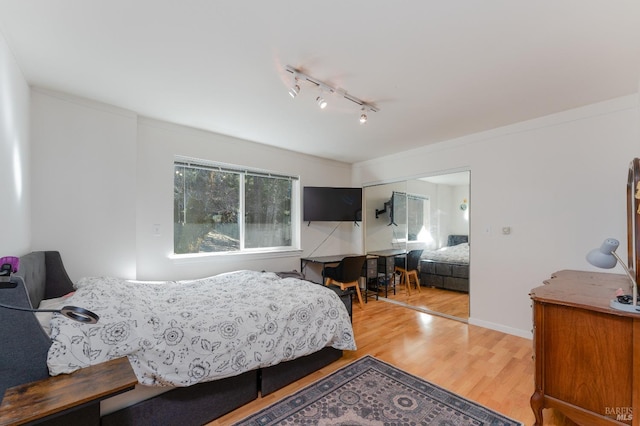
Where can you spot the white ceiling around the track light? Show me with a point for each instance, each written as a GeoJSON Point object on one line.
{"type": "Point", "coordinates": [436, 69]}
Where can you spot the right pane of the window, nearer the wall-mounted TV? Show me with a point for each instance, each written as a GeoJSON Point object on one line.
{"type": "Point", "coordinates": [267, 212]}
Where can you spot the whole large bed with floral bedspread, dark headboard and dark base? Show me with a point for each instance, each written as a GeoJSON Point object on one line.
{"type": "Point", "coordinates": [194, 398]}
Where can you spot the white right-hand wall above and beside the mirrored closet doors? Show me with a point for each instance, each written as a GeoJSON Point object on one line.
{"type": "Point", "coordinates": [559, 182]}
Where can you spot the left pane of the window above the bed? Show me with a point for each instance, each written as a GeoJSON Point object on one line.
{"type": "Point", "coordinates": [206, 210]}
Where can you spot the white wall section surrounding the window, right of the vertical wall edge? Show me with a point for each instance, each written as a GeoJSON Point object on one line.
{"type": "Point", "coordinates": [159, 143]}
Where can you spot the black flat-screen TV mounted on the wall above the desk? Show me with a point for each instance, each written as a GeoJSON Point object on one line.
{"type": "Point", "coordinates": [324, 204]}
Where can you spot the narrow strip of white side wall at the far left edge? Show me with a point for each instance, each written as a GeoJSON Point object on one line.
{"type": "Point", "coordinates": [15, 213]}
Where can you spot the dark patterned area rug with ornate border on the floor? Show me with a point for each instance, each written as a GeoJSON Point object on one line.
{"type": "Point", "coordinates": [370, 392]}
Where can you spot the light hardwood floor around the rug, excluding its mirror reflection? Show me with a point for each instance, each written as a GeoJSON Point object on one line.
{"type": "Point", "coordinates": [486, 366]}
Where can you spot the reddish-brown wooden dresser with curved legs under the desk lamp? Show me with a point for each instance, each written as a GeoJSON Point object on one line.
{"type": "Point", "coordinates": [585, 351]}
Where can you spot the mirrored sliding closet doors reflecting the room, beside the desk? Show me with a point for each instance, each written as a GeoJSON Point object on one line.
{"type": "Point", "coordinates": [421, 228]}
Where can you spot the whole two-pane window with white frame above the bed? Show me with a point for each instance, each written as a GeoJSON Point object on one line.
{"type": "Point", "coordinates": [221, 208]}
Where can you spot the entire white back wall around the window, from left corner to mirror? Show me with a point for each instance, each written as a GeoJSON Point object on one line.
{"type": "Point", "coordinates": [103, 177]}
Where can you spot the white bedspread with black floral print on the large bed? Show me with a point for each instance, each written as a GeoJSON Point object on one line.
{"type": "Point", "coordinates": [186, 332]}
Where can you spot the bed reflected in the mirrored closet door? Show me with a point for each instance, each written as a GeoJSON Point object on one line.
{"type": "Point", "coordinates": [447, 267]}
